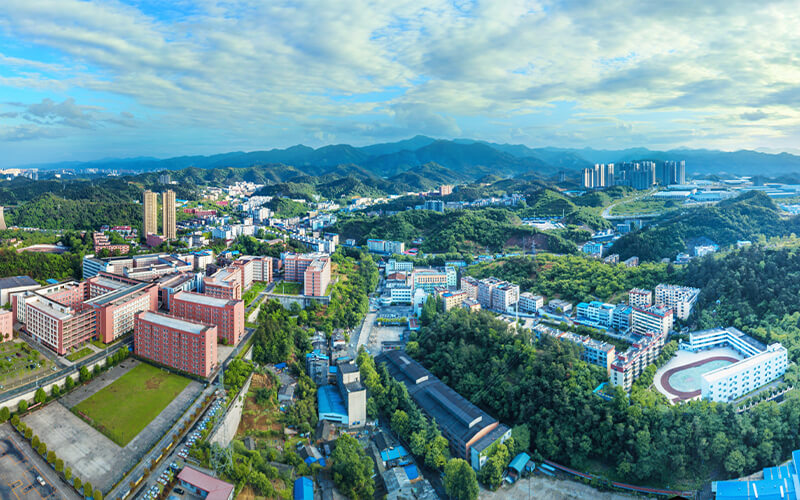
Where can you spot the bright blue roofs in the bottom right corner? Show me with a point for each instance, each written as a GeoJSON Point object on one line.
{"type": "Point", "coordinates": [781, 482]}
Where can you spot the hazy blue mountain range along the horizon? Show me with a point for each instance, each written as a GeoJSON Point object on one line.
{"type": "Point", "coordinates": [471, 159]}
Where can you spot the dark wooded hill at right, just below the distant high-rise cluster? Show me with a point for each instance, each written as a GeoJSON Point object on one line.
{"type": "Point", "coordinates": [742, 218]}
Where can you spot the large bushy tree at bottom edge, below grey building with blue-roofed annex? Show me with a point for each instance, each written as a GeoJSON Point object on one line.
{"type": "Point", "coordinates": [352, 469]}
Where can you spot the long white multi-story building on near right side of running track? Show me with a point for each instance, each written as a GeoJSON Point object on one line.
{"type": "Point", "coordinates": [733, 381]}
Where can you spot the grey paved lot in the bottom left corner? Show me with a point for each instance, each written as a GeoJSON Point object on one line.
{"type": "Point", "coordinates": [19, 468]}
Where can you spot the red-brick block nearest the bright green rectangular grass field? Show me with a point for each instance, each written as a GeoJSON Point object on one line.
{"type": "Point", "coordinates": [183, 345]}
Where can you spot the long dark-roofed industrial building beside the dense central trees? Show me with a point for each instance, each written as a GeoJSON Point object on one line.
{"type": "Point", "coordinates": [470, 431]}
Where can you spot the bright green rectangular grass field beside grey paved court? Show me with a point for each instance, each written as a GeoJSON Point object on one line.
{"type": "Point", "coordinates": [122, 409]}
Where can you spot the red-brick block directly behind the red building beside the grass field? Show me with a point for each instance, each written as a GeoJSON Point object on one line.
{"type": "Point", "coordinates": [226, 314]}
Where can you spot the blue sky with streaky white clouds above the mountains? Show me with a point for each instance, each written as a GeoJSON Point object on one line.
{"type": "Point", "coordinates": [83, 80]}
